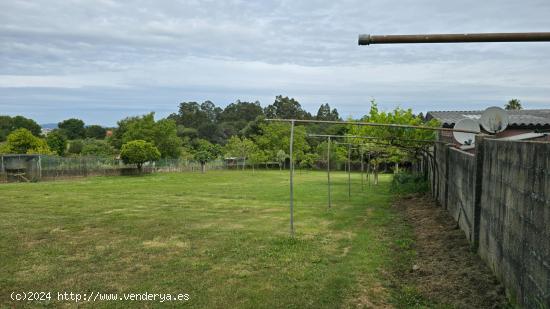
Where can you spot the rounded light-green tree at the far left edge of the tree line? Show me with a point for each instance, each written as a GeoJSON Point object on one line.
{"type": "Point", "coordinates": [22, 141]}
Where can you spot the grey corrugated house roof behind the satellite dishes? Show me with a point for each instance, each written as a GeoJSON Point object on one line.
{"type": "Point", "coordinates": [517, 118]}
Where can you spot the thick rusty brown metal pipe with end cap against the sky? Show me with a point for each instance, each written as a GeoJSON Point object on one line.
{"type": "Point", "coordinates": [367, 39]}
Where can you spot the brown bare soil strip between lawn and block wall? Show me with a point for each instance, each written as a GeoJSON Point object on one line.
{"type": "Point", "coordinates": [446, 270]}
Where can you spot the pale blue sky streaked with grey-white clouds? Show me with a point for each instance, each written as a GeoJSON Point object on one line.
{"type": "Point", "coordinates": [104, 60]}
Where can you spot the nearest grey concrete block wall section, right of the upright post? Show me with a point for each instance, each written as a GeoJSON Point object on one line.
{"type": "Point", "coordinates": [514, 231]}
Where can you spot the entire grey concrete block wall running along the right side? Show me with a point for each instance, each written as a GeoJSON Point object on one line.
{"type": "Point", "coordinates": [501, 200]}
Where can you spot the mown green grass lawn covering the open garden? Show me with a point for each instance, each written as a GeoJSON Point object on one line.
{"type": "Point", "coordinates": [222, 237]}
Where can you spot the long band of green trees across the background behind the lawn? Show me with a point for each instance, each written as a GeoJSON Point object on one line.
{"type": "Point", "coordinates": [204, 132]}
